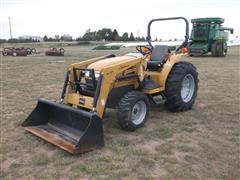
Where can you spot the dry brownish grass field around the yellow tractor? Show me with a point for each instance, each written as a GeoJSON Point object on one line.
{"type": "Point", "coordinates": [202, 143]}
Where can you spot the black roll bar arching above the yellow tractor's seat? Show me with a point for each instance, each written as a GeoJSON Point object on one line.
{"type": "Point", "coordinates": [185, 42]}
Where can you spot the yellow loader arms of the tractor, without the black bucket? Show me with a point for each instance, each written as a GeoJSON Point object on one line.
{"type": "Point", "coordinates": [110, 76]}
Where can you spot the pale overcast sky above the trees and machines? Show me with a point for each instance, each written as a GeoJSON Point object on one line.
{"type": "Point", "coordinates": [74, 17]}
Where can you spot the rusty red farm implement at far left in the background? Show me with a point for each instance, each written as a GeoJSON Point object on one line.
{"type": "Point", "coordinates": [18, 51]}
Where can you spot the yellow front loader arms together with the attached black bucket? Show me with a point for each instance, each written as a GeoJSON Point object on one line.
{"type": "Point", "coordinates": [77, 127]}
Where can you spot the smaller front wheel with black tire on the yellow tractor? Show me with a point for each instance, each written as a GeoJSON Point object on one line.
{"type": "Point", "coordinates": [126, 107]}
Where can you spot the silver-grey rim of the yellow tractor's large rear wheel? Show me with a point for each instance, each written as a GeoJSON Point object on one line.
{"type": "Point", "coordinates": [188, 87]}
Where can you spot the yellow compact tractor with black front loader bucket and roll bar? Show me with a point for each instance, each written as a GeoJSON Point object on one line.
{"type": "Point", "coordinates": [127, 83]}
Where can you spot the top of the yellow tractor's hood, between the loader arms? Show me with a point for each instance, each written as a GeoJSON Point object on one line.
{"type": "Point", "coordinates": [99, 65]}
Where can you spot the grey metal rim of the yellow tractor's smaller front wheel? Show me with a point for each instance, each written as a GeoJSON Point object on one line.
{"type": "Point", "coordinates": [139, 112]}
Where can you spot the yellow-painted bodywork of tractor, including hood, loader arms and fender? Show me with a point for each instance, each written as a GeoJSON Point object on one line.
{"type": "Point", "coordinates": [110, 69]}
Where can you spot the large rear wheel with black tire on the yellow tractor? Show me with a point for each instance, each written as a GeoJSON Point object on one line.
{"type": "Point", "coordinates": [181, 72]}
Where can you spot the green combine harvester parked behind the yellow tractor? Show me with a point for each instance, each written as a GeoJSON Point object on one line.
{"type": "Point", "coordinates": [208, 35]}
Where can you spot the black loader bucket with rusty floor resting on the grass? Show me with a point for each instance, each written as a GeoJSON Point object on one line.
{"type": "Point", "coordinates": [71, 129]}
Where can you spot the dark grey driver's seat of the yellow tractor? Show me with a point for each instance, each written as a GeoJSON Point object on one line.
{"type": "Point", "coordinates": [158, 56]}
